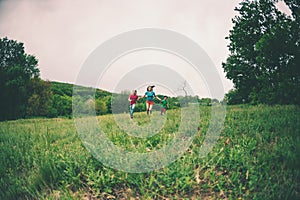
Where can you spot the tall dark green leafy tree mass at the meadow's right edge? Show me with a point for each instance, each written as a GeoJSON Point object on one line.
{"type": "Point", "coordinates": [264, 54]}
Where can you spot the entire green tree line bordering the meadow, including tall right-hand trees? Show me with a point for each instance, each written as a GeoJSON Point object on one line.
{"type": "Point", "coordinates": [263, 64]}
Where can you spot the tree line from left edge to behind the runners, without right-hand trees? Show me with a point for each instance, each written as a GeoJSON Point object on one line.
{"type": "Point", "coordinates": [25, 94]}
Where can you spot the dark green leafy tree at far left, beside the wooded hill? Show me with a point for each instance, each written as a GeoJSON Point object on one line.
{"type": "Point", "coordinates": [16, 70]}
